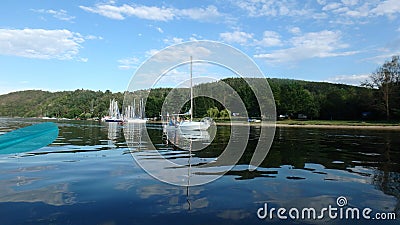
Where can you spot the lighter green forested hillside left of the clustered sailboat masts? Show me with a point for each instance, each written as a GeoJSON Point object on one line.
{"type": "Point", "coordinates": [66, 104]}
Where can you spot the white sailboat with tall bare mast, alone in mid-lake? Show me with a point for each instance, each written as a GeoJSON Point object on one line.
{"type": "Point", "coordinates": [189, 125]}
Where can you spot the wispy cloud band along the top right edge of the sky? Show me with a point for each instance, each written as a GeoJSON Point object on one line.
{"type": "Point", "coordinates": [345, 12]}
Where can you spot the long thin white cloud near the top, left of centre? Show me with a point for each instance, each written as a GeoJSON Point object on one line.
{"type": "Point", "coordinates": [112, 11]}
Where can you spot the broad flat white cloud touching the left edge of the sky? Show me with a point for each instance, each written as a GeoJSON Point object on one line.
{"type": "Point", "coordinates": [40, 43]}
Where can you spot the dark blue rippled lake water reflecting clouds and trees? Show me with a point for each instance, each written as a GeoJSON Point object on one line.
{"type": "Point", "coordinates": [89, 176]}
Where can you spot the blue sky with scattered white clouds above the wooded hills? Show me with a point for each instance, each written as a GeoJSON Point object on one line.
{"type": "Point", "coordinates": [98, 45]}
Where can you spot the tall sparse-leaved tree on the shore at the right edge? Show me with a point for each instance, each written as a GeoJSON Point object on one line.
{"type": "Point", "coordinates": [386, 79]}
